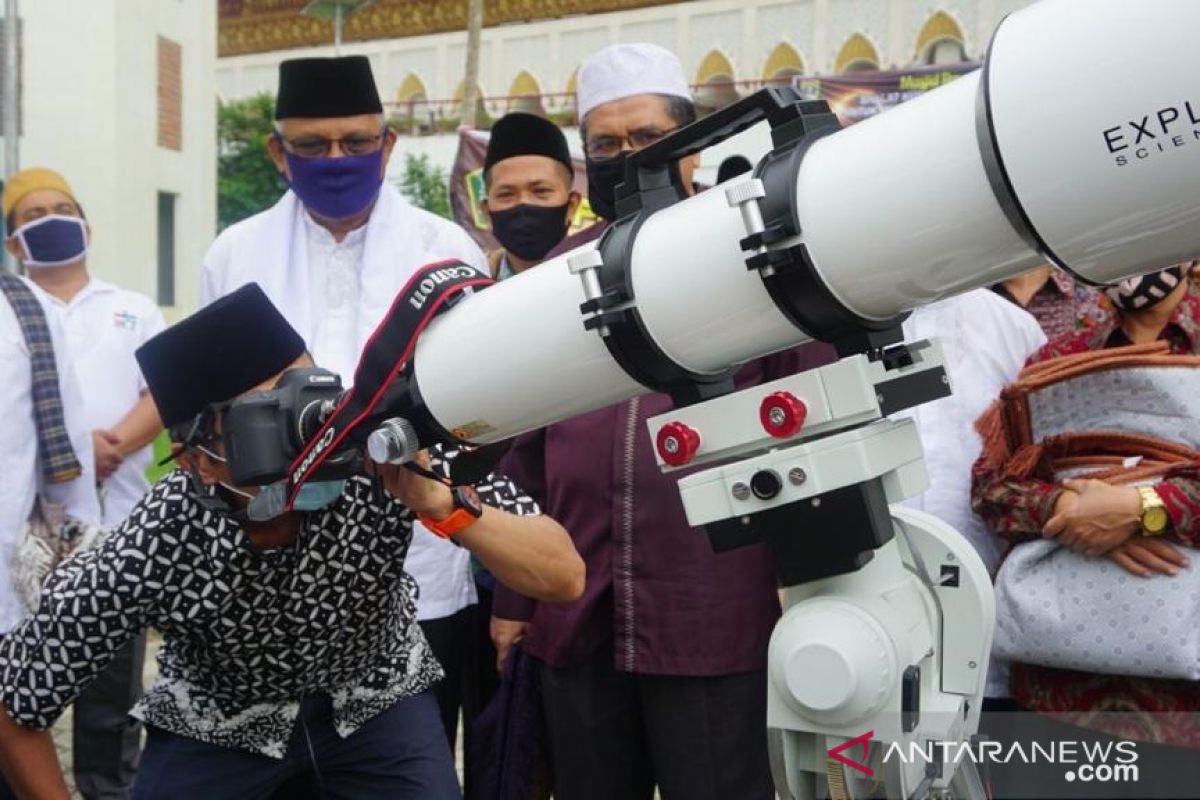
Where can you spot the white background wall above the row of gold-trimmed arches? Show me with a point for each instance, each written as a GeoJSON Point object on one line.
{"type": "Point", "coordinates": [745, 31]}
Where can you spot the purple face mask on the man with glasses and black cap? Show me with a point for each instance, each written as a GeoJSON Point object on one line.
{"type": "Point", "coordinates": [337, 189]}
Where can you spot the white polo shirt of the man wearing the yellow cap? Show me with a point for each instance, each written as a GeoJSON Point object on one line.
{"type": "Point", "coordinates": [104, 326]}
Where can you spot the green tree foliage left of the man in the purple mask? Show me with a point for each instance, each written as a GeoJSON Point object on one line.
{"type": "Point", "coordinates": [248, 182]}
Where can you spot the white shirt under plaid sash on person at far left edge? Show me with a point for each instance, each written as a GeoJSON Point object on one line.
{"type": "Point", "coordinates": [20, 467]}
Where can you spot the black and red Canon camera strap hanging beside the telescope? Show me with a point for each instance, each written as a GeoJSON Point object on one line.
{"type": "Point", "coordinates": [386, 356]}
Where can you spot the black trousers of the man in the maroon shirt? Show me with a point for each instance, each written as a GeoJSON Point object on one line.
{"type": "Point", "coordinates": [616, 736]}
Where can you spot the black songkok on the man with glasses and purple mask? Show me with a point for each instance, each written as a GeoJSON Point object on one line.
{"type": "Point", "coordinates": [325, 88]}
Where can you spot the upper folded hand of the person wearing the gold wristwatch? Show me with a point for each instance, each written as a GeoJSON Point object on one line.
{"type": "Point", "coordinates": [1097, 519]}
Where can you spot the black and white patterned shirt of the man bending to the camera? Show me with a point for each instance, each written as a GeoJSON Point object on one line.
{"type": "Point", "coordinates": [247, 633]}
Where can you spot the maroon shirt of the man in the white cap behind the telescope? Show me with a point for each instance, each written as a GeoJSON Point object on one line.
{"type": "Point", "coordinates": [655, 586]}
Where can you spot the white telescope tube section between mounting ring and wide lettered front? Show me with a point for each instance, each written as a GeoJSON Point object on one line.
{"type": "Point", "coordinates": [897, 210]}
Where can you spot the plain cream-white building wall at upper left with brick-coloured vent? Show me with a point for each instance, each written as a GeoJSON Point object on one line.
{"type": "Point", "coordinates": [91, 113]}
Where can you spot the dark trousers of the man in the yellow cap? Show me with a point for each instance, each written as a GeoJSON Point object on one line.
{"type": "Point", "coordinates": [106, 741]}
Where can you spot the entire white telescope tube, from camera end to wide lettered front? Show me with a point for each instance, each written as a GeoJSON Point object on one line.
{"type": "Point", "coordinates": [950, 193]}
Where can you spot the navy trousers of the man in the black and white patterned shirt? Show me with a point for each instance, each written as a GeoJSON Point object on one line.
{"type": "Point", "coordinates": [399, 755]}
